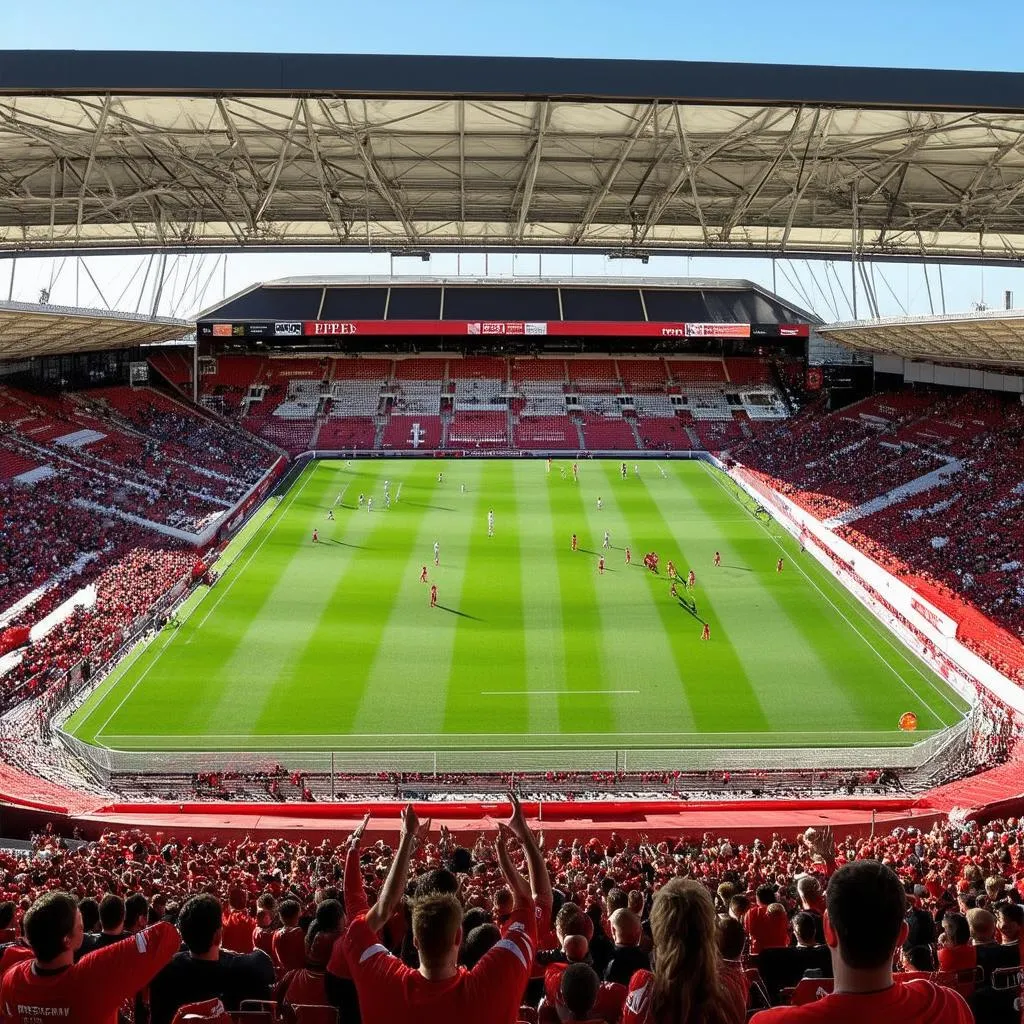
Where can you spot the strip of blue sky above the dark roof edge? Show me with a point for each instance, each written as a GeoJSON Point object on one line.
{"type": "Point", "coordinates": [984, 35]}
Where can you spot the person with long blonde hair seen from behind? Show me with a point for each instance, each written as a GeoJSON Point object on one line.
{"type": "Point", "coordinates": [688, 985]}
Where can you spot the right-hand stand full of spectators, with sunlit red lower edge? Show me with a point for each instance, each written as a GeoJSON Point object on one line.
{"type": "Point", "coordinates": [890, 473]}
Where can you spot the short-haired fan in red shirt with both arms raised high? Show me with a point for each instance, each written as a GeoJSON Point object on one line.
{"type": "Point", "coordinates": [442, 991]}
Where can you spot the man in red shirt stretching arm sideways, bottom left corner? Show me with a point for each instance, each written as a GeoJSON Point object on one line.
{"type": "Point", "coordinates": [95, 989]}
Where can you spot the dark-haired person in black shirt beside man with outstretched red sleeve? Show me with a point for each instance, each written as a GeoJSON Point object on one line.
{"type": "Point", "coordinates": [204, 971]}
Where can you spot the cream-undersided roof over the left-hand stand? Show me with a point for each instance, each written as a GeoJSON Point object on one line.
{"type": "Point", "coordinates": [30, 330]}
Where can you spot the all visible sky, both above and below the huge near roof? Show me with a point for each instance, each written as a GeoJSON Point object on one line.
{"type": "Point", "coordinates": [985, 35]}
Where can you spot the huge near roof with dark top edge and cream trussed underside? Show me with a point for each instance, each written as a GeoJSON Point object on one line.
{"type": "Point", "coordinates": [129, 151]}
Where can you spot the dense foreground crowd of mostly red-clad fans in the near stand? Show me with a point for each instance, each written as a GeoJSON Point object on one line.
{"type": "Point", "coordinates": [590, 909]}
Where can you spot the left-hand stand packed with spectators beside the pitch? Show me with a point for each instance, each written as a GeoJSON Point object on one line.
{"type": "Point", "coordinates": [104, 479]}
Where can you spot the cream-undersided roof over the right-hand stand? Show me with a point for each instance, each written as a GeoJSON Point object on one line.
{"type": "Point", "coordinates": [993, 336]}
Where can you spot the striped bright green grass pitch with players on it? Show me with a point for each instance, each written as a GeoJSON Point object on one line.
{"type": "Point", "coordinates": [333, 647]}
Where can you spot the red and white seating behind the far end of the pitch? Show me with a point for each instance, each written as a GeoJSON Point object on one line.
{"type": "Point", "coordinates": [488, 402]}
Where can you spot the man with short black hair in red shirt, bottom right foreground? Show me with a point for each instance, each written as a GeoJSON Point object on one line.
{"type": "Point", "coordinates": [865, 924]}
